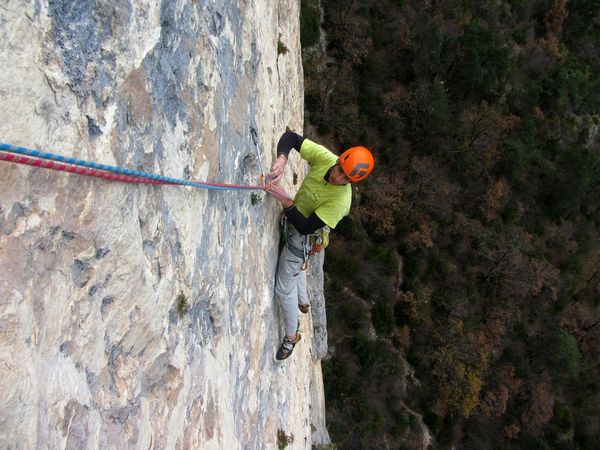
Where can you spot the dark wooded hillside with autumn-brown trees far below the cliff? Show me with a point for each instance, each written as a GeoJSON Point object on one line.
{"type": "Point", "coordinates": [464, 287]}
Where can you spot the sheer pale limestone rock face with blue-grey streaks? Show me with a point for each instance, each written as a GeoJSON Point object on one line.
{"type": "Point", "coordinates": [137, 316]}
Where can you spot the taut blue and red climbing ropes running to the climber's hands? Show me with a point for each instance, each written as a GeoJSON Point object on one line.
{"type": "Point", "coordinates": [21, 155]}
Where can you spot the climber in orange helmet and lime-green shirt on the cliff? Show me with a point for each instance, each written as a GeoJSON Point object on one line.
{"type": "Point", "coordinates": [323, 199]}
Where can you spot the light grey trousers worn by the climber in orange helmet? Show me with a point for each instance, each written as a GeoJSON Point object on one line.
{"type": "Point", "coordinates": [290, 282]}
